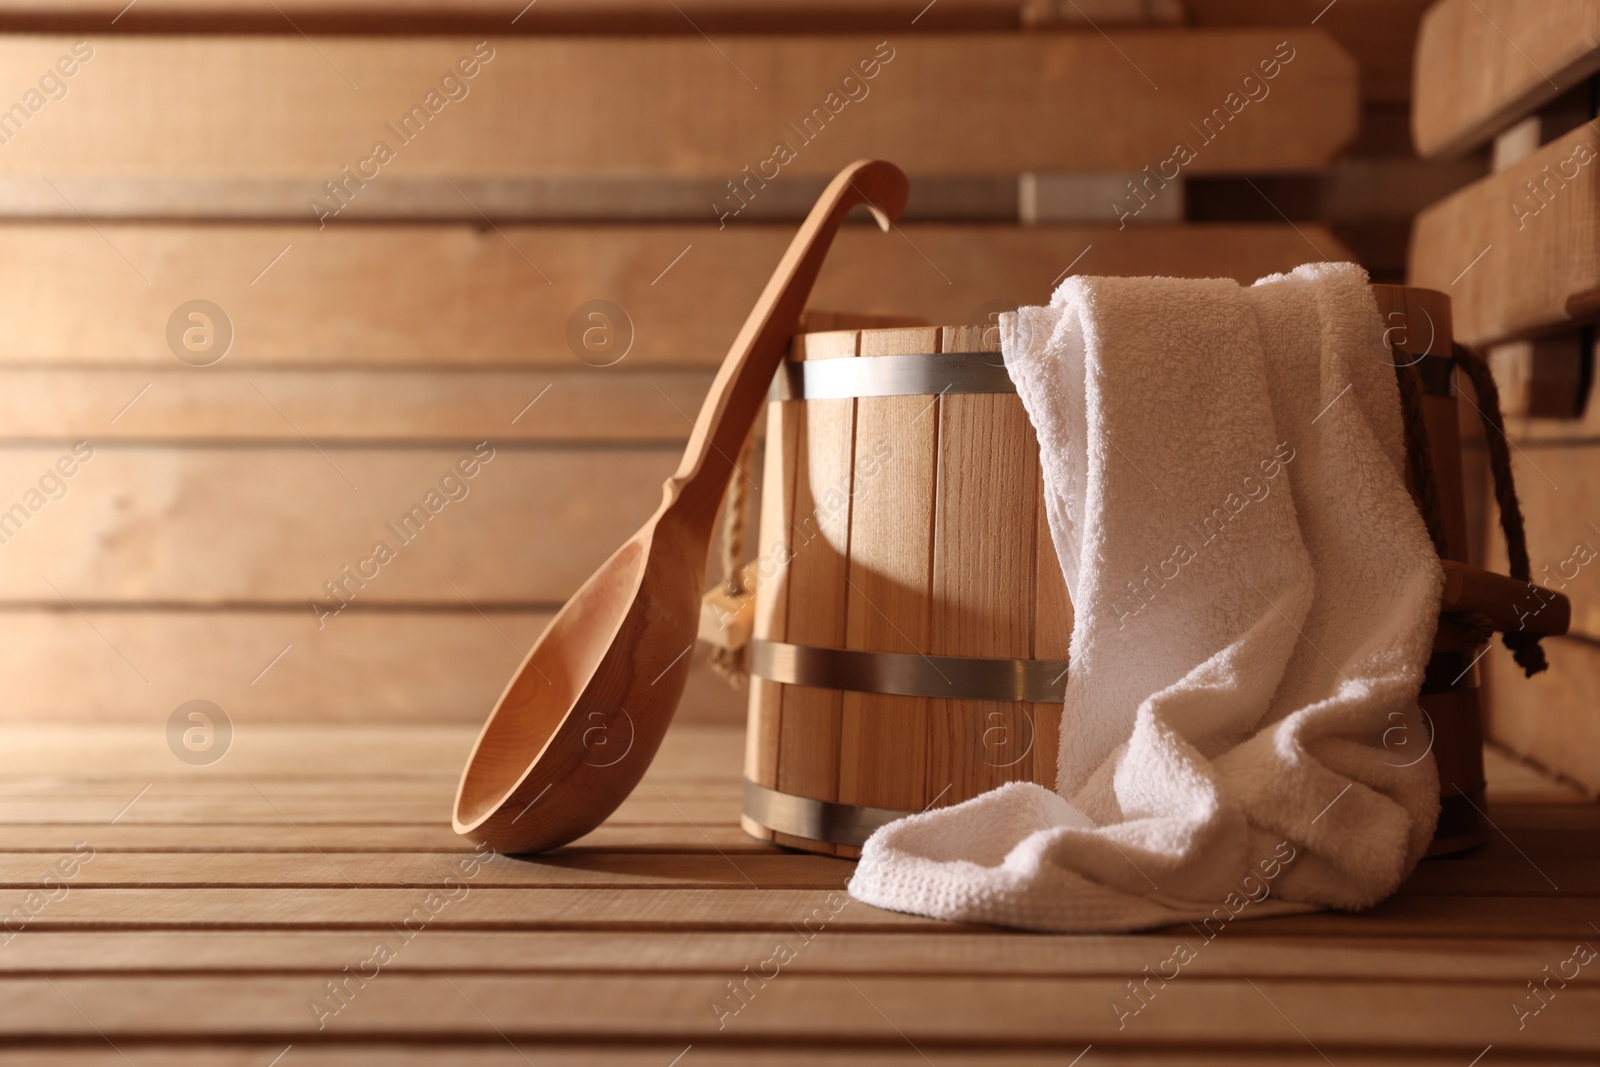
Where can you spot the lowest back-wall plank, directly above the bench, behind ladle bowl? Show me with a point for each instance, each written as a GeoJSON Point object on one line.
{"type": "Point", "coordinates": [137, 666]}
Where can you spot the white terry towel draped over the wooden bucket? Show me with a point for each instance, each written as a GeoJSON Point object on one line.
{"type": "Point", "coordinates": [1255, 601]}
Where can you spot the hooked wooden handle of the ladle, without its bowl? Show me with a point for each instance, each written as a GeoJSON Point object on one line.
{"type": "Point", "coordinates": [740, 390]}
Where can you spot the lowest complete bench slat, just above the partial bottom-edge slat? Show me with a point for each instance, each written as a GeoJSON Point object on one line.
{"type": "Point", "coordinates": [929, 1012]}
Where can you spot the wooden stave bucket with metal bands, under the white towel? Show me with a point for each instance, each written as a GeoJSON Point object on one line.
{"type": "Point", "coordinates": [911, 621]}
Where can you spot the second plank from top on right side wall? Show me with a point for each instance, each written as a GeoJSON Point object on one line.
{"type": "Point", "coordinates": [1518, 250]}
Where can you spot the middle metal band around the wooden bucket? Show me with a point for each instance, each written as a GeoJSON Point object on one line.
{"type": "Point", "coordinates": [908, 674]}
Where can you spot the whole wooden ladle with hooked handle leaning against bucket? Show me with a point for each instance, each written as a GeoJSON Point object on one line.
{"type": "Point", "coordinates": [577, 729]}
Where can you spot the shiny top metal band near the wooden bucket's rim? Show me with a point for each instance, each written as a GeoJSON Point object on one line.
{"type": "Point", "coordinates": [916, 375]}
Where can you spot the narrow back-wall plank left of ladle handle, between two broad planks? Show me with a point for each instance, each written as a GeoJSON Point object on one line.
{"type": "Point", "coordinates": [239, 406]}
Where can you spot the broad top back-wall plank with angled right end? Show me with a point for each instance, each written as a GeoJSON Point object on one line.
{"type": "Point", "coordinates": [146, 108]}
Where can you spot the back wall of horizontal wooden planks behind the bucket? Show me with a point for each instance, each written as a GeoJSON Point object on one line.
{"type": "Point", "coordinates": [276, 278]}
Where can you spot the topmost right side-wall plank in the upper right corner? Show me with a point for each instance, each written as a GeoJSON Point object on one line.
{"type": "Point", "coordinates": [1484, 65]}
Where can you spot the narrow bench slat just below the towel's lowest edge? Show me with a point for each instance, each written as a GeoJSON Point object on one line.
{"type": "Point", "coordinates": [986, 954]}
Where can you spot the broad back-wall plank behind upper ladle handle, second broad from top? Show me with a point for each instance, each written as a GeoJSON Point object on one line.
{"type": "Point", "coordinates": [455, 295]}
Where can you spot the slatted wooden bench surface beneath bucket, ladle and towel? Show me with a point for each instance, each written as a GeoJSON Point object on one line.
{"type": "Point", "coordinates": [236, 895]}
